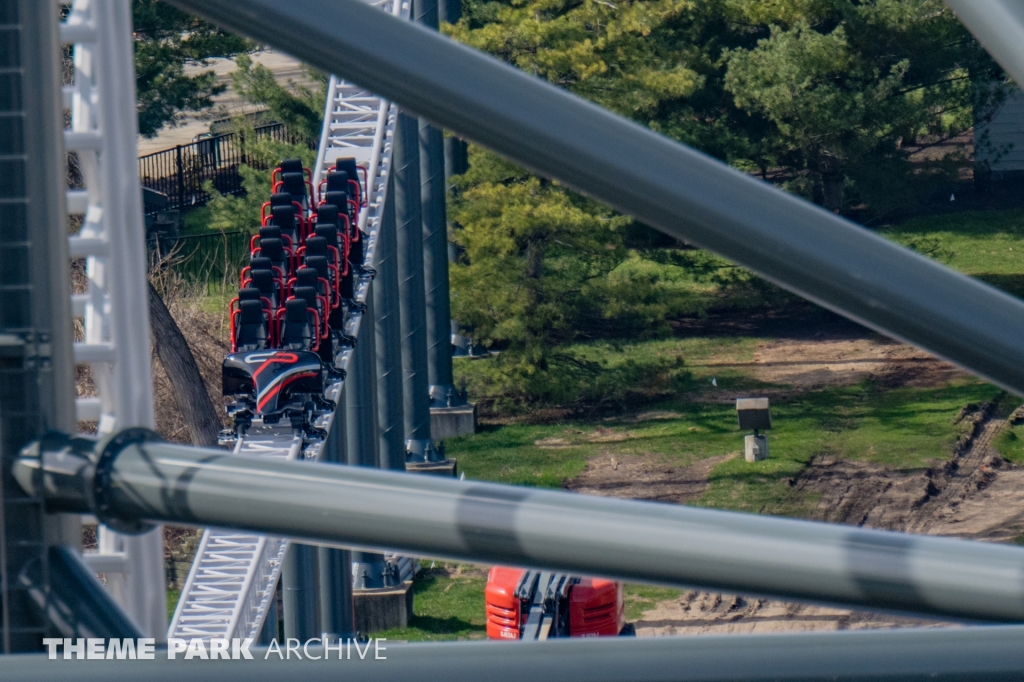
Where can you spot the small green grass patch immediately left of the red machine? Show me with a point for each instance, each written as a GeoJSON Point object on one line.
{"type": "Point", "coordinates": [448, 604]}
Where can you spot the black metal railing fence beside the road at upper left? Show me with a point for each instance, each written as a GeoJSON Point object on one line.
{"type": "Point", "coordinates": [181, 173]}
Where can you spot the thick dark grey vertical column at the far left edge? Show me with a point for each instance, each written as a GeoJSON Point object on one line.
{"type": "Point", "coordinates": [37, 368]}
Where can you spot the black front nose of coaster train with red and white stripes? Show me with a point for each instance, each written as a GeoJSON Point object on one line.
{"type": "Point", "coordinates": [274, 383]}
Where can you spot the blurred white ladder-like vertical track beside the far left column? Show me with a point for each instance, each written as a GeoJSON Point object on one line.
{"type": "Point", "coordinates": [115, 310]}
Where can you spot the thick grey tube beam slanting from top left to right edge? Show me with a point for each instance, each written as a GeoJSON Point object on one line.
{"type": "Point", "coordinates": [661, 183]}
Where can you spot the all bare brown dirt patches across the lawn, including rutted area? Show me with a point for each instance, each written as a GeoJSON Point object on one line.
{"type": "Point", "coordinates": [975, 495]}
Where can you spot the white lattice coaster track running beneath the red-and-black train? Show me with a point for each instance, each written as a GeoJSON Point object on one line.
{"type": "Point", "coordinates": [234, 579]}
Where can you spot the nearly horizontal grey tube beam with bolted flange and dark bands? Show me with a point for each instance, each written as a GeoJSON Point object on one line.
{"type": "Point", "coordinates": [436, 517]}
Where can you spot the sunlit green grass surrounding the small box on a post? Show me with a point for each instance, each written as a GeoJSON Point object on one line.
{"type": "Point", "coordinates": [904, 429]}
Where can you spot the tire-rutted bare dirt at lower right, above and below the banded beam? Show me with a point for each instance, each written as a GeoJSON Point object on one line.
{"type": "Point", "coordinates": [943, 500]}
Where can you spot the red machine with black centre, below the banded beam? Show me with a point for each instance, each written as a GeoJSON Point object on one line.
{"type": "Point", "coordinates": [533, 605]}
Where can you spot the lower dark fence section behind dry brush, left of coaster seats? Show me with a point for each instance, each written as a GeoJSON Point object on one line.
{"type": "Point", "coordinates": [208, 260]}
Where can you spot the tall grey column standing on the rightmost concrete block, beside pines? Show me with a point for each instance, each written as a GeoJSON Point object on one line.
{"type": "Point", "coordinates": [434, 197]}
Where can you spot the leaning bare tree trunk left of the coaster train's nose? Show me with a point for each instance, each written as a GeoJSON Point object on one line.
{"type": "Point", "coordinates": [187, 382]}
